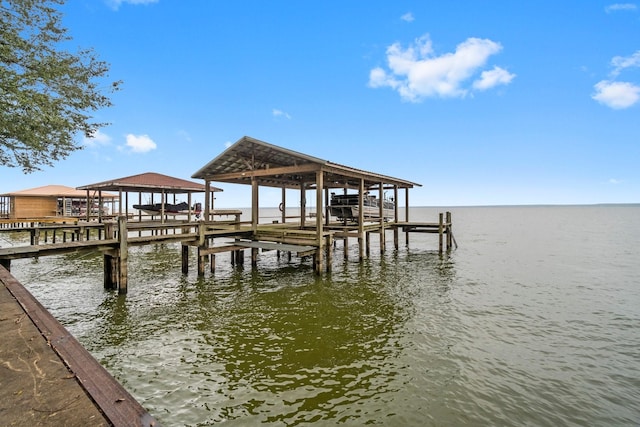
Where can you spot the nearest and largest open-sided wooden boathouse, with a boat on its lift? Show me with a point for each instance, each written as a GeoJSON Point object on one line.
{"type": "Point", "coordinates": [257, 163]}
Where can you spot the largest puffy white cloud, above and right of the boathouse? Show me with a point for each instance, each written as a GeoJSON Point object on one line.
{"type": "Point", "coordinates": [416, 73]}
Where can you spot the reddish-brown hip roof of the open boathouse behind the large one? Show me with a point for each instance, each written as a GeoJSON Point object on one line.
{"type": "Point", "coordinates": [150, 182]}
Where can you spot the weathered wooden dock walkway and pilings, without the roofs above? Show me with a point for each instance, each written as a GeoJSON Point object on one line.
{"type": "Point", "coordinates": [113, 239]}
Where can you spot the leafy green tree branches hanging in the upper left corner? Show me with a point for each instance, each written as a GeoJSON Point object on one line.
{"type": "Point", "coordinates": [46, 91]}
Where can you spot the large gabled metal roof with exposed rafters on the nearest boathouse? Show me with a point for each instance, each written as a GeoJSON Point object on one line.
{"type": "Point", "coordinates": [275, 166]}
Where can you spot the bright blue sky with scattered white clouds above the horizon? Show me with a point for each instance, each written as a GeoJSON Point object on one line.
{"type": "Point", "coordinates": [481, 102]}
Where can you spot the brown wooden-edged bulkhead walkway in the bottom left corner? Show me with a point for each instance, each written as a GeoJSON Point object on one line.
{"type": "Point", "coordinates": [47, 378]}
